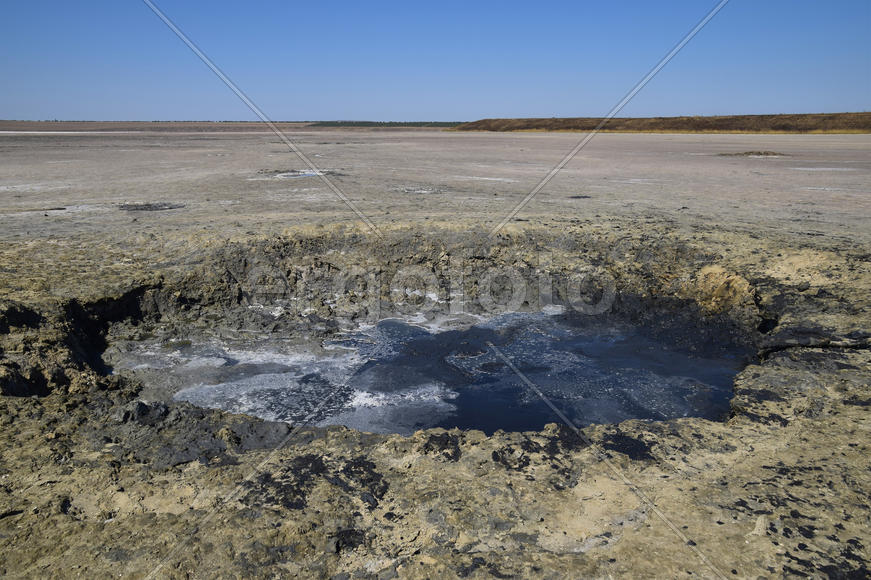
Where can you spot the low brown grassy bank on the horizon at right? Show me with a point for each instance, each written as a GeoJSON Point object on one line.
{"type": "Point", "coordinates": [808, 123]}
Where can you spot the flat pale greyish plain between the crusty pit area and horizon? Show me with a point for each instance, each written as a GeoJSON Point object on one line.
{"type": "Point", "coordinates": [821, 185]}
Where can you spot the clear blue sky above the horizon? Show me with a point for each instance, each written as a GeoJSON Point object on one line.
{"type": "Point", "coordinates": [446, 60]}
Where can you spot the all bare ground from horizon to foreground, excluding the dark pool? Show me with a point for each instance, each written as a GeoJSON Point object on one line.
{"type": "Point", "coordinates": [97, 482]}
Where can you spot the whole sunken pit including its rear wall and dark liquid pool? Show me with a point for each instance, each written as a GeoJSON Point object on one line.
{"type": "Point", "coordinates": [332, 331]}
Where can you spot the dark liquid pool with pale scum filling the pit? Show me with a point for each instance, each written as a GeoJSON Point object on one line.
{"type": "Point", "coordinates": [398, 376]}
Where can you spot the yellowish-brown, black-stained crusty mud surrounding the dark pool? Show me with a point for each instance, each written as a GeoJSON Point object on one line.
{"type": "Point", "coordinates": [95, 481]}
